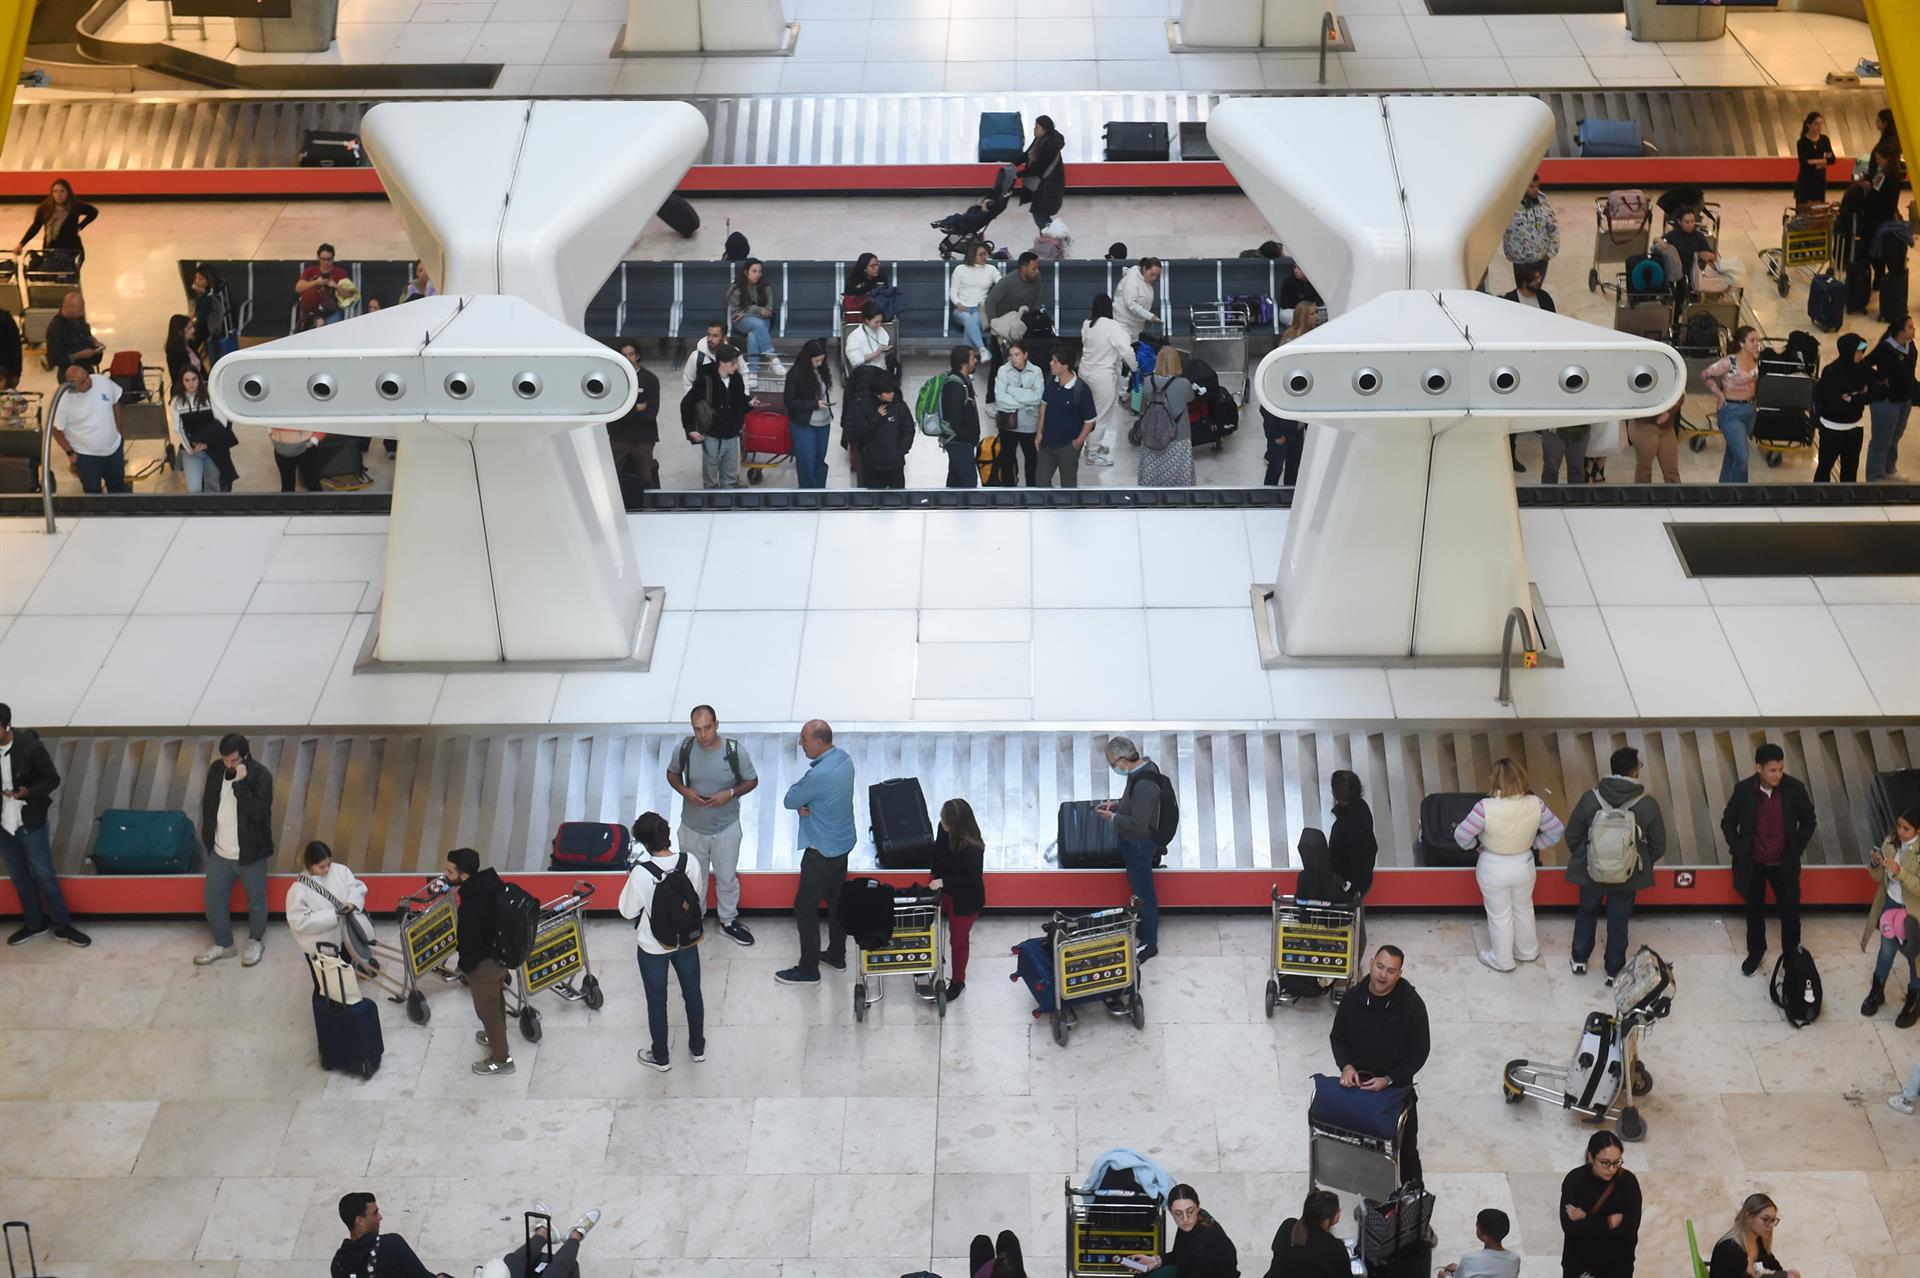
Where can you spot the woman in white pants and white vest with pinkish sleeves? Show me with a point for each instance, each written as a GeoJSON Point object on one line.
{"type": "Point", "coordinates": [1508, 826]}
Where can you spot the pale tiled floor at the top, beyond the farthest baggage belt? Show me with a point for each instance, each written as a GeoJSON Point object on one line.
{"type": "Point", "coordinates": [1057, 45]}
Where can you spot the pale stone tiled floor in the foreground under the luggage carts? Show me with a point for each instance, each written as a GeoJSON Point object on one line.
{"type": "Point", "coordinates": [172, 1122]}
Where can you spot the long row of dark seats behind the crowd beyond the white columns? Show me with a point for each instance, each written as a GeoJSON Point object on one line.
{"type": "Point", "coordinates": [675, 300]}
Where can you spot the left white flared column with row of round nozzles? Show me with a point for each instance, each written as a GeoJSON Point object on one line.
{"type": "Point", "coordinates": [508, 540]}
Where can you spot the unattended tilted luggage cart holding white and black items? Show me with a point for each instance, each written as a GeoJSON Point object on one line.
{"type": "Point", "coordinates": [1608, 1053]}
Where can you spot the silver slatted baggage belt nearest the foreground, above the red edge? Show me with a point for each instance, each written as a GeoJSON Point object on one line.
{"type": "Point", "coordinates": [396, 801]}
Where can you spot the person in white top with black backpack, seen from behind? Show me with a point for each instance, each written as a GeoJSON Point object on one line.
{"type": "Point", "coordinates": [665, 878]}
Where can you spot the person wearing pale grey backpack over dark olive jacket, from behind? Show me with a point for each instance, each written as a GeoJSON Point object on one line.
{"type": "Point", "coordinates": [1614, 838]}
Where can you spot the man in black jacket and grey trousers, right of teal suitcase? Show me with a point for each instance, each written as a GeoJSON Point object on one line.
{"type": "Point", "coordinates": [237, 832]}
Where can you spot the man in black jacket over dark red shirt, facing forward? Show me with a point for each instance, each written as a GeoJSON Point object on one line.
{"type": "Point", "coordinates": [1767, 826]}
